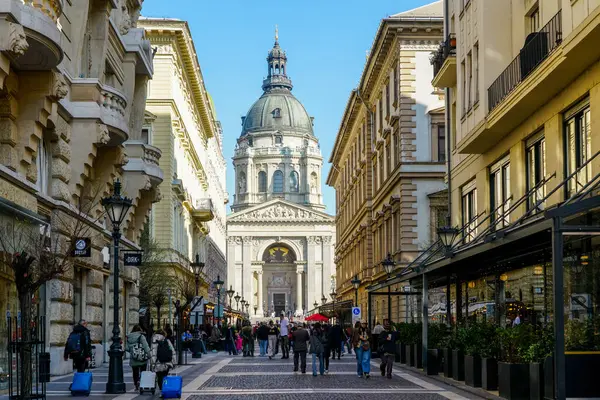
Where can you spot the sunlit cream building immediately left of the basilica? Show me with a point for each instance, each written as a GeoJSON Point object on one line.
{"type": "Point", "coordinates": [190, 218]}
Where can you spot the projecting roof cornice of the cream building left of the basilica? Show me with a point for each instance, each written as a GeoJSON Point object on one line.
{"type": "Point", "coordinates": [186, 53]}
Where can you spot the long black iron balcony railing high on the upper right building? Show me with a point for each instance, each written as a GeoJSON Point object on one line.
{"type": "Point", "coordinates": [537, 47]}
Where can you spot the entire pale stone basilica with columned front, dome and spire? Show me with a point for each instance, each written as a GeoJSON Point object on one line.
{"type": "Point", "coordinates": [280, 240]}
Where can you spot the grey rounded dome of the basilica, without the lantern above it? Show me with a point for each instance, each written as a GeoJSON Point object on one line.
{"type": "Point", "coordinates": [277, 111]}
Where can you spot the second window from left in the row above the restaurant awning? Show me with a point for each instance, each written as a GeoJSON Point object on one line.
{"type": "Point", "coordinates": [500, 192]}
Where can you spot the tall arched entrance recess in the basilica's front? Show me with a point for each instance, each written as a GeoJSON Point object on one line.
{"type": "Point", "coordinates": [279, 270]}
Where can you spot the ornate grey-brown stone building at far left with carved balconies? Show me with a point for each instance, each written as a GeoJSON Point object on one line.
{"type": "Point", "coordinates": [73, 78]}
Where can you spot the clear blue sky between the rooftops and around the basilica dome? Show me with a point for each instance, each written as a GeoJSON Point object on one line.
{"type": "Point", "coordinates": [325, 40]}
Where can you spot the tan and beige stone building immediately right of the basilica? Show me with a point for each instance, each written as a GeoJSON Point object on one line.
{"type": "Point", "coordinates": [388, 158]}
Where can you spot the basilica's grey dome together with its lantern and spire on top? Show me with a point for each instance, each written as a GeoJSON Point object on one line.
{"type": "Point", "coordinates": [277, 109]}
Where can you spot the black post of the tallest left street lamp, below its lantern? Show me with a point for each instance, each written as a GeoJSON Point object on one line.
{"type": "Point", "coordinates": [115, 384]}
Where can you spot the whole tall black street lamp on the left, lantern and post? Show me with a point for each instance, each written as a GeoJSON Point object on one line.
{"type": "Point", "coordinates": [116, 207]}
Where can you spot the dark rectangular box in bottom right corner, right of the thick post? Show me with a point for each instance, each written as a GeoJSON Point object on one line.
{"type": "Point", "coordinates": [582, 372]}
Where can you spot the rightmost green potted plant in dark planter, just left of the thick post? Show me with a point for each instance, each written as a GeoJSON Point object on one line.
{"type": "Point", "coordinates": [536, 355]}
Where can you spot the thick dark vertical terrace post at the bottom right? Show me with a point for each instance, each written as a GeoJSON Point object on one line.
{"type": "Point", "coordinates": [559, 316]}
